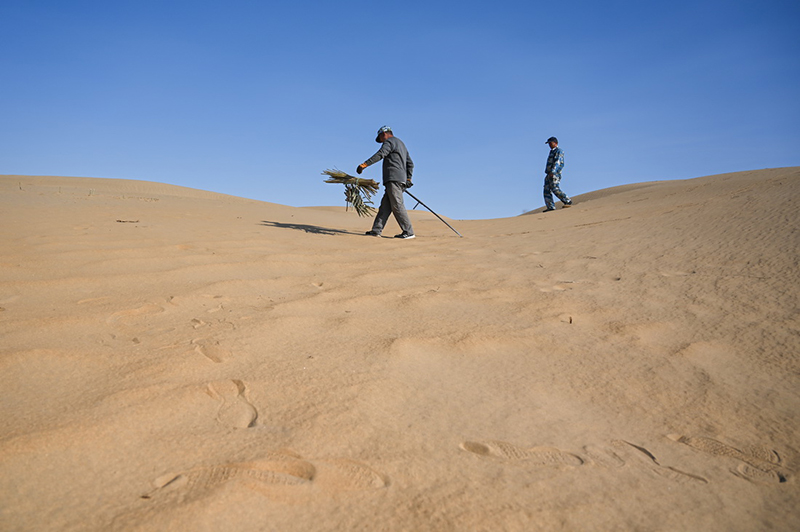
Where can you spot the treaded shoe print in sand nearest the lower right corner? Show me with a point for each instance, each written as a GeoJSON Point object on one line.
{"type": "Point", "coordinates": [761, 464]}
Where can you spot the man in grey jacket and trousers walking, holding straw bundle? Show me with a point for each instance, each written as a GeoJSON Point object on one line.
{"type": "Point", "coordinates": [397, 170]}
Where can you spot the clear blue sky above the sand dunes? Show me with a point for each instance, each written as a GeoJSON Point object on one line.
{"type": "Point", "coordinates": [256, 98]}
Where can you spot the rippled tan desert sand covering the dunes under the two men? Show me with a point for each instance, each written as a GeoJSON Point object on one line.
{"type": "Point", "coordinates": [173, 359]}
